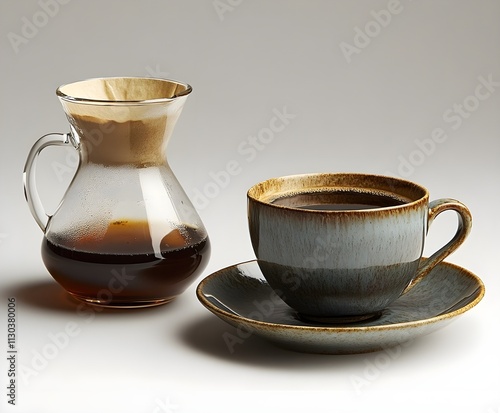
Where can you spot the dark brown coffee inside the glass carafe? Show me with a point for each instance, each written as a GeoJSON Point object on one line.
{"type": "Point", "coordinates": [121, 268]}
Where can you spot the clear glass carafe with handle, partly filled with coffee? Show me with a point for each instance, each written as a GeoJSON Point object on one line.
{"type": "Point", "coordinates": [125, 234]}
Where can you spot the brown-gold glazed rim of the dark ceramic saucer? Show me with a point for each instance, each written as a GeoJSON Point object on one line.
{"type": "Point", "coordinates": [342, 329]}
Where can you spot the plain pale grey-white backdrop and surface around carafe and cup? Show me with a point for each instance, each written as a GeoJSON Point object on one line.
{"type": "Point", "coordinates": [360, 103]}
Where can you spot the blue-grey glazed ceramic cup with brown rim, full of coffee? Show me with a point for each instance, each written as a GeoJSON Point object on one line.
{"type": "Point", "coordinates": [340, 248]}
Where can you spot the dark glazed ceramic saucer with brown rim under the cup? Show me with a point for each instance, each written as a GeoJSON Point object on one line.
{"type": "Point", "coordinates": [241, 296]}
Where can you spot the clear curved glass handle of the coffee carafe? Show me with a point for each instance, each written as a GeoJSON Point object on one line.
{"type": "Point", "coordinates": [29, 178]}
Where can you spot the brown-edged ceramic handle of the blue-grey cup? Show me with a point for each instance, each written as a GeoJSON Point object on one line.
{"type": "Point", "coordinates": [463, 230]}
